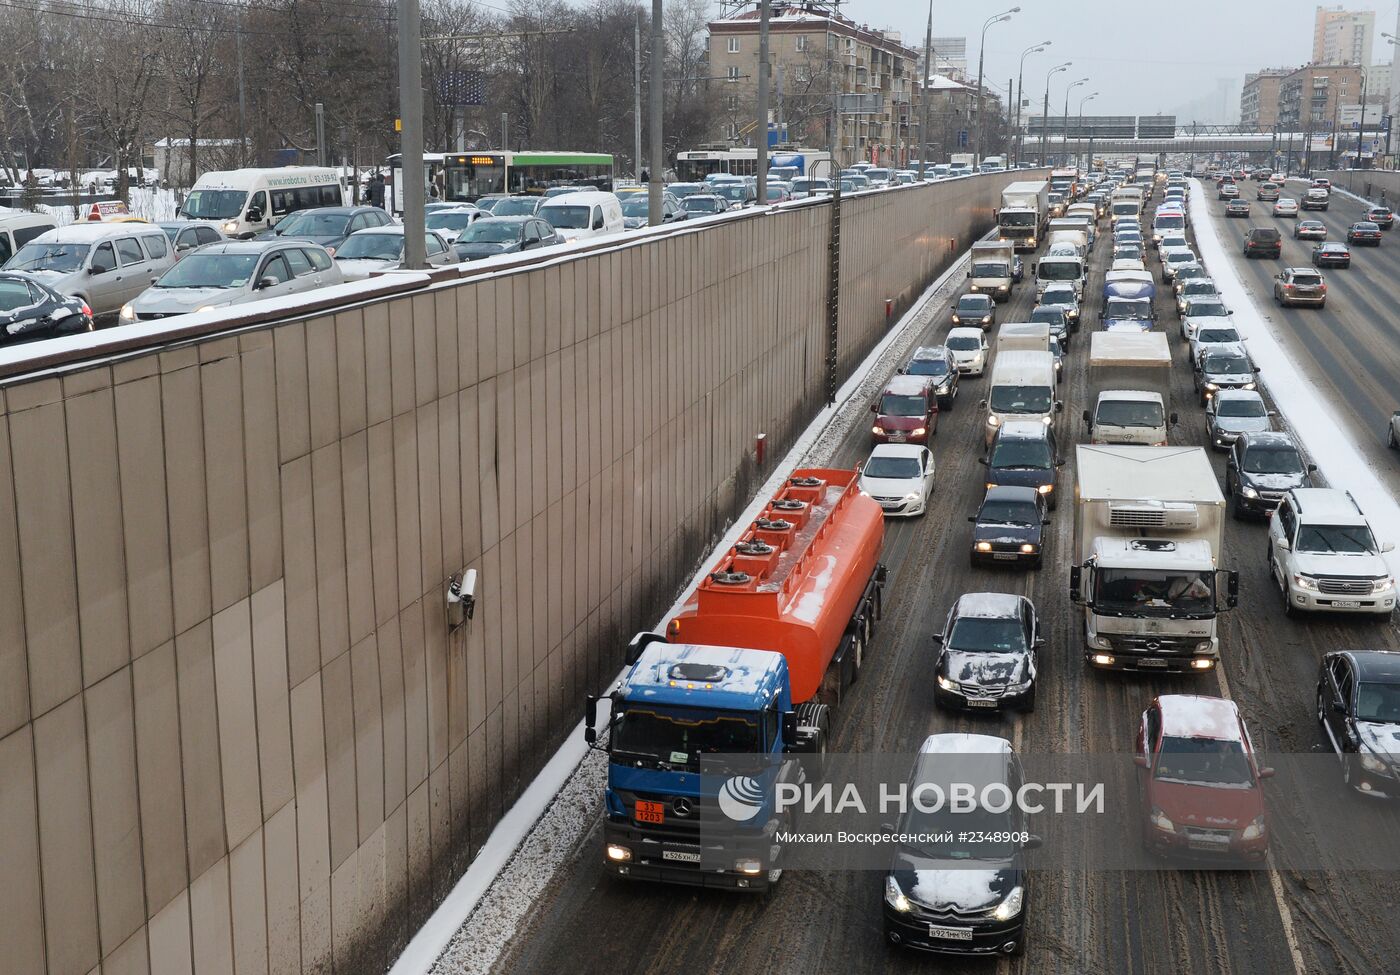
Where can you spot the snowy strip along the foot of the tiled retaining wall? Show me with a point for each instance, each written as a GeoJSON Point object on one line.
{"type": "Point", "coordinates": [471, 929]}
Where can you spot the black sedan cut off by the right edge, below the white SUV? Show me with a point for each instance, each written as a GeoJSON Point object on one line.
{"type": "Point", "coordinates": [1359, 710]}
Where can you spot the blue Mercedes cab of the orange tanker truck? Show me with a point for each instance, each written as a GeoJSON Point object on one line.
{"type": "Point", "coordinates": [675, 707]}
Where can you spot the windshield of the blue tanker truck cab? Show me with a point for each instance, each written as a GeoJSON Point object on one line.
{"type": "Point", "coordinates": [682, 738]}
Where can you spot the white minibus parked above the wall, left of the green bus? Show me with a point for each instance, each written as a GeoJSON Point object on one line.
{"type": "Point", "coordinates": [247, 202]}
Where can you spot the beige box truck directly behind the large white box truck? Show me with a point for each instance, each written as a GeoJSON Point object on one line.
{"type": "Point", "coordinates": [1130, 387]}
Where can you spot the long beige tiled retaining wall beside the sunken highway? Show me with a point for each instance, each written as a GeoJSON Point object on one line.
{"type": "Point", "coordinates": [236, 731]}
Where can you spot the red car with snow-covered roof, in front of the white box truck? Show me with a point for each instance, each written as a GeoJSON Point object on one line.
{"type": "Point", "coordinates": [1200, 781]}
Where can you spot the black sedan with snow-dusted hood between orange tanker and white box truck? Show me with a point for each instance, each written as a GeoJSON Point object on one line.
{"type": "Point", "coordinates": [988, 658]}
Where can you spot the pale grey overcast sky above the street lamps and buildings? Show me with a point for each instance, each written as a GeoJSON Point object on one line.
{"type": "Point", "coordinates": [1142, 58]}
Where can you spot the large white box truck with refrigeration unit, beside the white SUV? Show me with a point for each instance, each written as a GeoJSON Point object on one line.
{"type": "Point", "coordinates": [1149, 527]}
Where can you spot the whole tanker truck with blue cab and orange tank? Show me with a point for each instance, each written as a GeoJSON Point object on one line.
{"type": "Point", "coordinates": [768, 644]}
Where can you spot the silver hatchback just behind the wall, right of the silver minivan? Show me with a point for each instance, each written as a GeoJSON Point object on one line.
{"type": "Point", "coordinates": [234, 272]}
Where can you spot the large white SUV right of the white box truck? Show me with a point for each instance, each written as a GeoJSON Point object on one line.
{"type": "Point", "coordinates": [1324, 557]}
